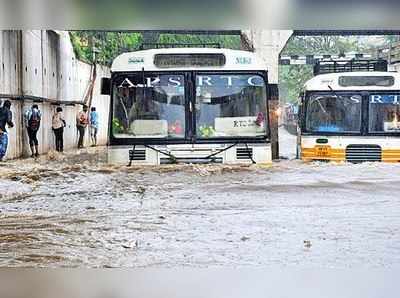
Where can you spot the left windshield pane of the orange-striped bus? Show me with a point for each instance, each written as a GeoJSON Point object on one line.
{"type": "Point", "coordinates": [333, 113]}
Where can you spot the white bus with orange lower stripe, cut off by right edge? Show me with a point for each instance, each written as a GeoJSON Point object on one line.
{"type": "Point", "coordinates": [352, 116]}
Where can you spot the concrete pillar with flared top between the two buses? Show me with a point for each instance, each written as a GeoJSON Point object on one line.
{"type": "Point", "coordinates": [268, 44]}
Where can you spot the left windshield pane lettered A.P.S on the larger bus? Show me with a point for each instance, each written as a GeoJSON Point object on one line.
{"type": "Point", "coordinates": [149, 106]}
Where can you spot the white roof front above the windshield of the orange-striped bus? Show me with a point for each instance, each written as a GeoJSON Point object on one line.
{"type": "Point", "coordinates": [343, 81]}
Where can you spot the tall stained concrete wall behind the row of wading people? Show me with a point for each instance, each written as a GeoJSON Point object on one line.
{"type": "Point", "coordinates": [42, 63]}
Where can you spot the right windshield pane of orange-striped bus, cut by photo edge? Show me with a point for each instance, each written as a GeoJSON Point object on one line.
{"type": "Point", "coordinates": [384, 113]}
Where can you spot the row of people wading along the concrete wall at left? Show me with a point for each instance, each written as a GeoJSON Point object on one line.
{"type": "Point", "coordinates": [32, 122]}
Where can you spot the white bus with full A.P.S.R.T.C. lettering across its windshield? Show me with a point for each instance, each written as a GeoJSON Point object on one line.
{"type": "Point", "coordinates": [188, 105]}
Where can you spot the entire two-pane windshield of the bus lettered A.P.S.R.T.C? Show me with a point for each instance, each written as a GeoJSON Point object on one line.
{"type": "Point", "coordinates": [161, 106]}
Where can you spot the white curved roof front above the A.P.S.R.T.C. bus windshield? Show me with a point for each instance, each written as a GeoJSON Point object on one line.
{"type": "Point", "coordinates": [233, 60]}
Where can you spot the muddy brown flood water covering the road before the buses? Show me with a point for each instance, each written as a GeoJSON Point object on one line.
{"type": "Point", "coordinates": [77, 211]}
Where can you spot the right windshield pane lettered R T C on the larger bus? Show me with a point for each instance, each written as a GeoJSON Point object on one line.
{"type": "Point", "coordinates": [230, 106]}
